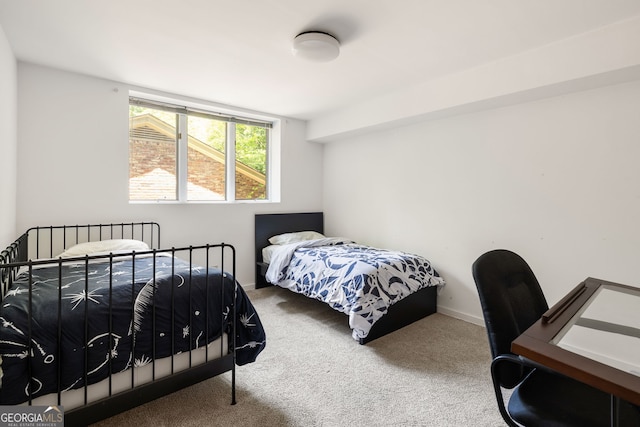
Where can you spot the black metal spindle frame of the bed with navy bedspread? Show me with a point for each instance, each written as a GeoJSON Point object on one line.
{"type": "Point", "coordinates": [39, 245]}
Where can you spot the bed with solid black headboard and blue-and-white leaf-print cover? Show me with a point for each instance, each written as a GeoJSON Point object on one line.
{"type": "Point", "coordinates": [380, 290]}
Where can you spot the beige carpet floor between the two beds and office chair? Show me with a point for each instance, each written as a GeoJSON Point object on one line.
{"type": "Point", "coordinates": [434, 372]}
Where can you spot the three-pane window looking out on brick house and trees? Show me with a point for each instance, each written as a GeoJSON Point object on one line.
{"type": "Point", "coordinates": [185, 154]}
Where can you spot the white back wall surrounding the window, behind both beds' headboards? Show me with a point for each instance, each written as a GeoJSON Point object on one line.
{"type": "Point", "coordinates": [73, 167]}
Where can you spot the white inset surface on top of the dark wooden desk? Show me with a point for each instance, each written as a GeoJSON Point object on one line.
{"type": "Point", "coordinates": [614, 349]}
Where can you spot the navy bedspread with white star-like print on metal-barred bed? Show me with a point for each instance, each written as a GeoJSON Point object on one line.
{"type": "Point", "coordinates": [118, 335]}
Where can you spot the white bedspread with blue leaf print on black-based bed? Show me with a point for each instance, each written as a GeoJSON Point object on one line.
{"type": "Point", "coordinates": [357, 280]}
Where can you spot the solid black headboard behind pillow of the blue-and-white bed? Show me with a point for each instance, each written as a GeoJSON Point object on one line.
{"type": "Point", "coordinates": [269, 225]}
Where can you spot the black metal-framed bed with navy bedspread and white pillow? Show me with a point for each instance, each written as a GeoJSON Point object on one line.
{"type": "Point", "coordinates": [98, 319]}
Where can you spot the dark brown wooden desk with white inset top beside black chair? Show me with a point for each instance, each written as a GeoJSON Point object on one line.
{"type": "Point", "coordinates": [591, 335]}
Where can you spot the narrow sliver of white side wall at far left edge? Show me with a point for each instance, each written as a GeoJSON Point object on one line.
{"type": "Point", "coordinates": [8, 142]}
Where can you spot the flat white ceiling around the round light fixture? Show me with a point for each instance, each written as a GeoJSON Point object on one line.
{"type": "Point", "coordinates": [238, 52]}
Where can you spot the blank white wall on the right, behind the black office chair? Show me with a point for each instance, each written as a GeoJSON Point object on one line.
{"type": "Point", "coordinates": [556, 180]}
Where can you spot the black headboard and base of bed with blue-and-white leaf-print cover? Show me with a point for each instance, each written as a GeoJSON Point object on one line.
{"type": "Point", "coordinates": [408, 310]}
